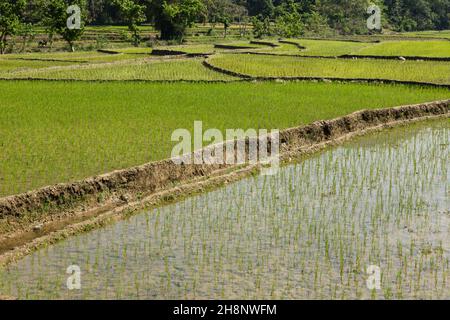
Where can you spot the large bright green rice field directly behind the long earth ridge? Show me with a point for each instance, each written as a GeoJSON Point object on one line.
{"type": "Point", "coordinates": [53, 132]}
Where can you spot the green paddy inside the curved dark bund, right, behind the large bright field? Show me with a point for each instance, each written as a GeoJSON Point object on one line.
{"type": "Point", "coordinates": [270, 66]}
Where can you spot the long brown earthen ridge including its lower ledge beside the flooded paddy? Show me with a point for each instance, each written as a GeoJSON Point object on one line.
{"type": "Point", "coordinates": [104, 198]}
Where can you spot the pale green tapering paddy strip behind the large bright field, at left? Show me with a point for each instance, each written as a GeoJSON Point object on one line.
{"type": "Point", "coordinates": [143, 69]}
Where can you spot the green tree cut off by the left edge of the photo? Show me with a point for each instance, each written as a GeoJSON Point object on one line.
{"type": "Point", "coordinates": [10, 14]}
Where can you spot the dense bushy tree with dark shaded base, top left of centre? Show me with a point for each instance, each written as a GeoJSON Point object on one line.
{"type": "Point", "coordinates": [173, 17]}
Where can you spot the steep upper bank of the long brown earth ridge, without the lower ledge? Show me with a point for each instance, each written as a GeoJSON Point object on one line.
{"type": "Point", "coordinates": [130, 184]}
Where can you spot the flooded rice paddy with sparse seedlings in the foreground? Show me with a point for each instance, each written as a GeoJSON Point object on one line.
{"type": "Point", "coordinates": [309, 232]}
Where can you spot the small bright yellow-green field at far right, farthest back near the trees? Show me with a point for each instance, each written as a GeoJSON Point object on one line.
{"type": "Point", "coordinates": [409, 48]}
